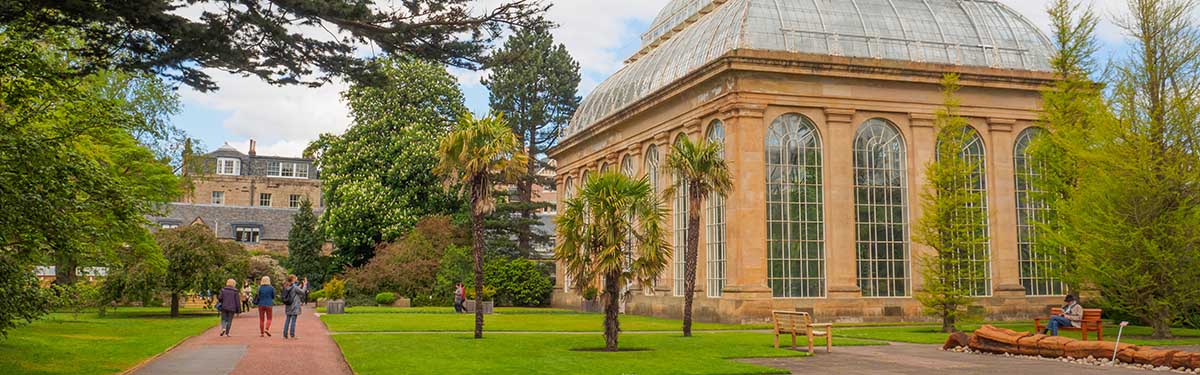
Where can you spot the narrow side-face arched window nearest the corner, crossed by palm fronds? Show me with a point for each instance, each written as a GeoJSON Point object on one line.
{"type": "Point", "coordinates": [715, 229]}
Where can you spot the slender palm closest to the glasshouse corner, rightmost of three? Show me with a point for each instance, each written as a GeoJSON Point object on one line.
{"type": "Point", "coordinates": [699, 169]}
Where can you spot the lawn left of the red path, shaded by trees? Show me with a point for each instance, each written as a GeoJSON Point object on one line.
{"type": "Point", "coordinates": [65, 344]}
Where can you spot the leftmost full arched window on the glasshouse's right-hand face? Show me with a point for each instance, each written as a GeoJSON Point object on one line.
{"type": "Point", "coordinates": [795, 209]}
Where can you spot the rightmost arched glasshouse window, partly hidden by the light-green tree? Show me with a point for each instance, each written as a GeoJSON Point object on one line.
{"type": "Point", "coordinates": [1039, 271]}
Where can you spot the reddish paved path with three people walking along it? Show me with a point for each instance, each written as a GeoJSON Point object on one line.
{"type": "Point", "coordinates": [245, 353]}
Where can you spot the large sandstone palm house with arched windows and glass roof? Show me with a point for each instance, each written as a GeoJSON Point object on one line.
{"type": "Point", "coordinates": [827, 115]}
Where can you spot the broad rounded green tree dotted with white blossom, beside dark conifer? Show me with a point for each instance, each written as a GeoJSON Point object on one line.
{"type": "Point", "coordinates": [376, 177]}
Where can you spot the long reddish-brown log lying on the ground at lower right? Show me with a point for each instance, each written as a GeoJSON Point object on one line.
{"type": "Point", "coordinates": [1000, 341]}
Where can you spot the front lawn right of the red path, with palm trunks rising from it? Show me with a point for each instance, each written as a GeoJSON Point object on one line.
{"type": "Point", "coordinates": [553, 354]}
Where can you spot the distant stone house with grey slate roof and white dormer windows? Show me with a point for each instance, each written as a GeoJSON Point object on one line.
{"type": "Point", "coordinates": [249, 199]}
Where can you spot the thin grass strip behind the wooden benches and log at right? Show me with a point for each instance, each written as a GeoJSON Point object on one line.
{"type": "Point", "coordinates": [933, 335]}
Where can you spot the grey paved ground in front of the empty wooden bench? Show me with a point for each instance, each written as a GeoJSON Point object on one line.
{"type": "Point", "coordinates": [925, 360]}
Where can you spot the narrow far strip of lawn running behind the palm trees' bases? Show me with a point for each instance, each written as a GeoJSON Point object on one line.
{"type": "Point", "coordinates": [503, 322]}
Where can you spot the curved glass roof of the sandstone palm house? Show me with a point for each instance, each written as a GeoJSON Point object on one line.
{"type": "Point", "coordinates": [689, 34]}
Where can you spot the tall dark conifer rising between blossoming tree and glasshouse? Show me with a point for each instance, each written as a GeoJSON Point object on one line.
{"type": "Point", "coordinates": [535, 82]}
